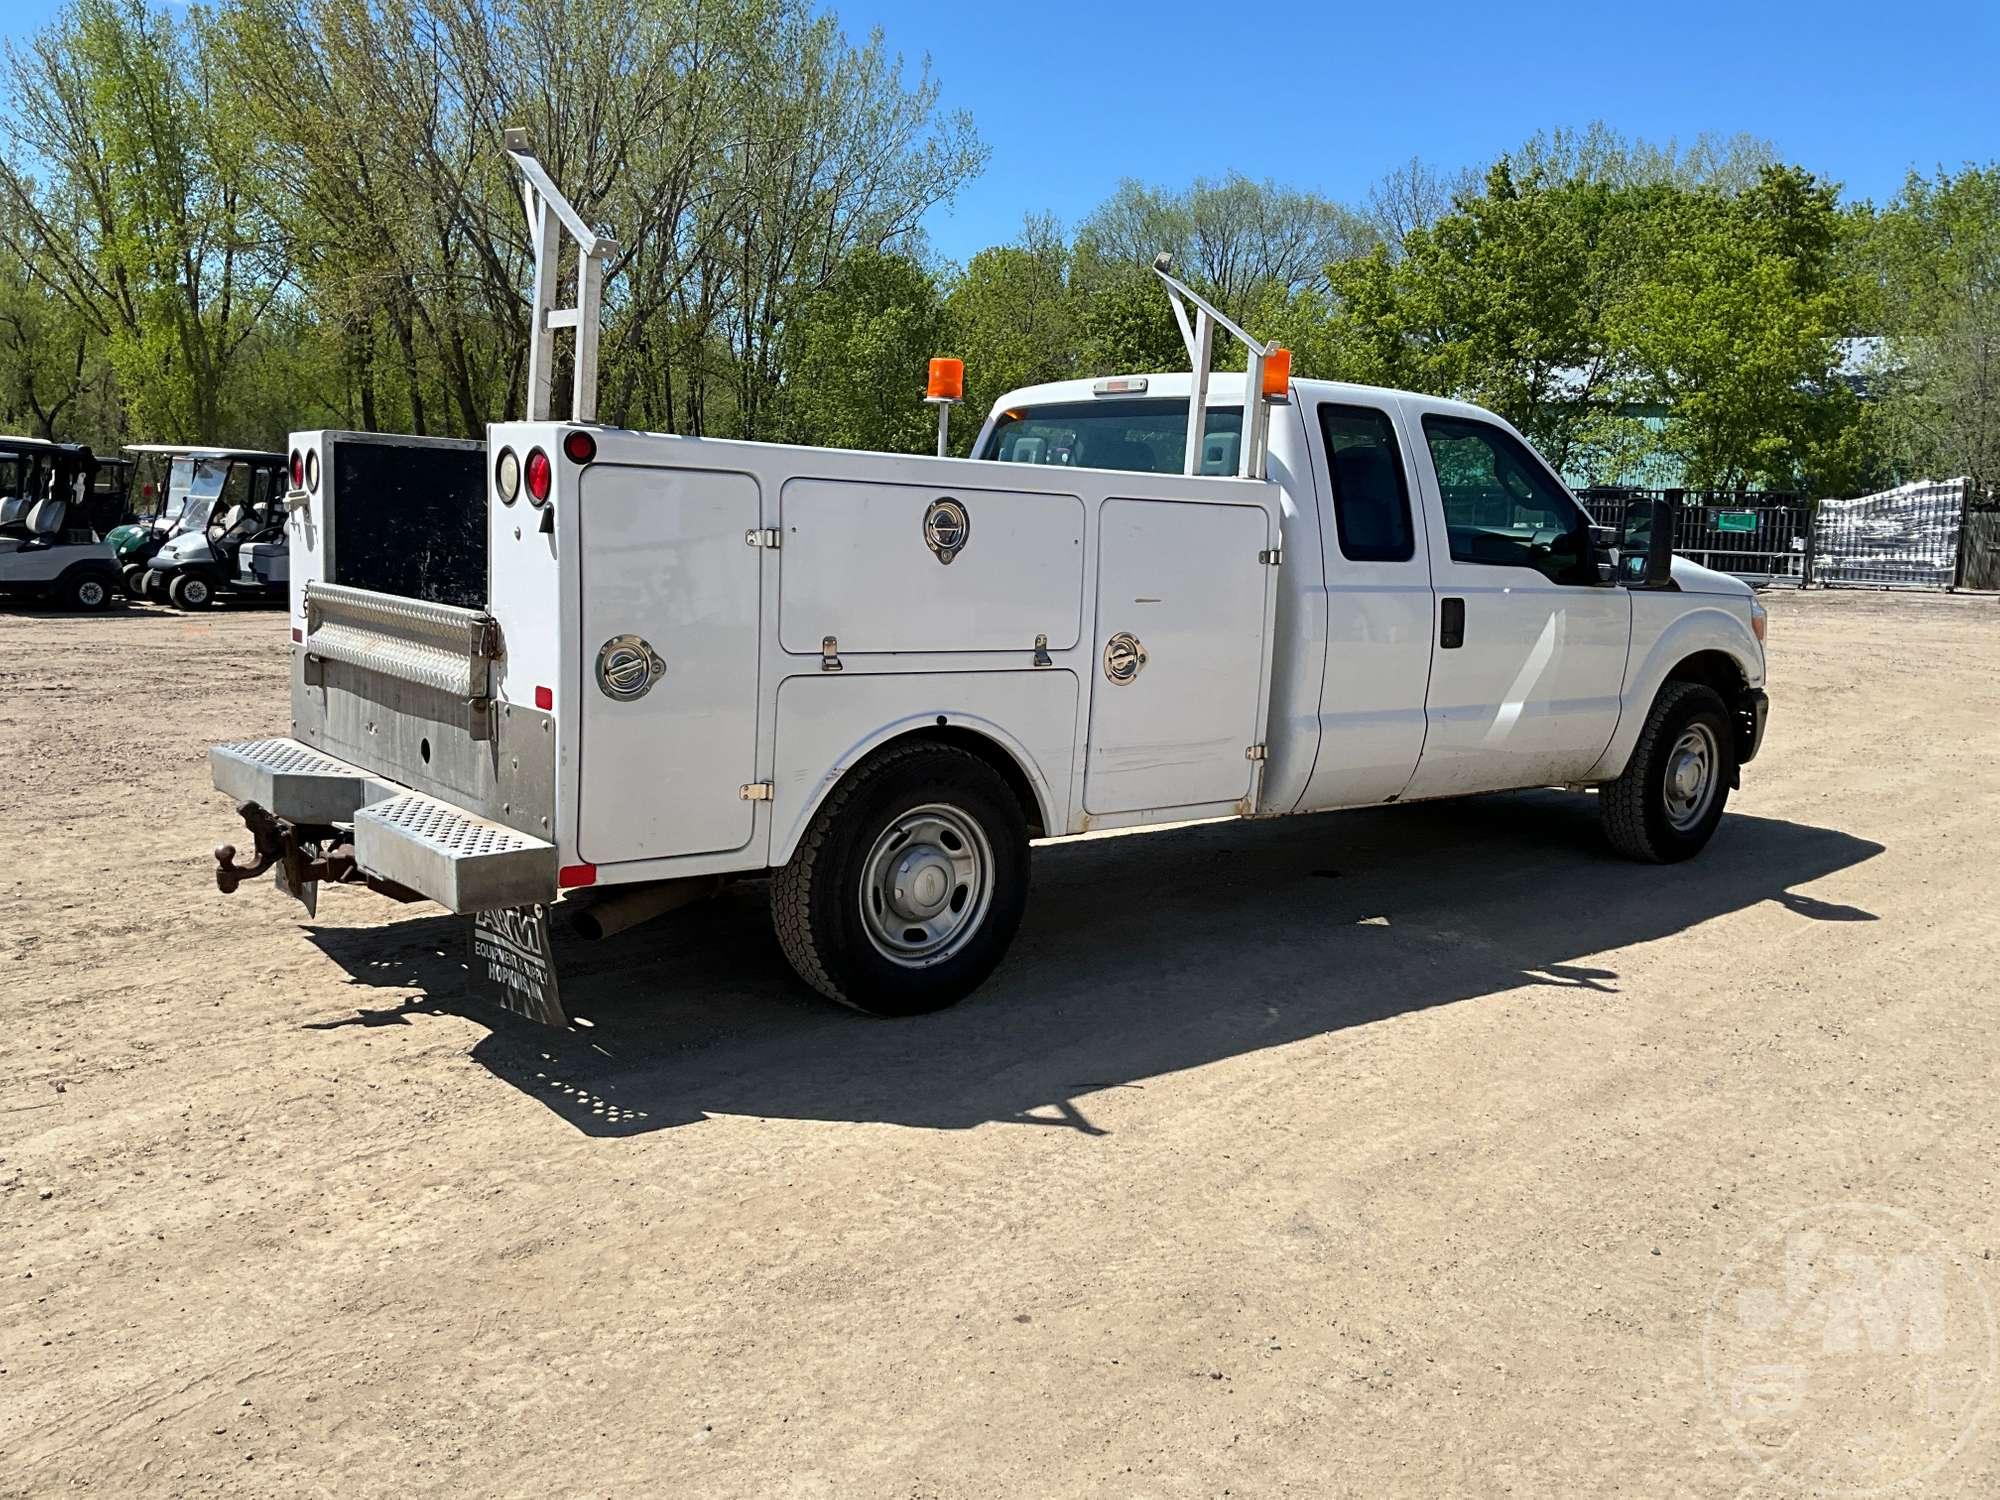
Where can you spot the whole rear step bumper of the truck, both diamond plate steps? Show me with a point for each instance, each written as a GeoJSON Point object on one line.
{"type": "Point", "coordinates": [453, 857]}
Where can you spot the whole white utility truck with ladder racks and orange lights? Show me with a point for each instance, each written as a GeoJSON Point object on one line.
{"type": "Point", "coordinates": [655, 663]}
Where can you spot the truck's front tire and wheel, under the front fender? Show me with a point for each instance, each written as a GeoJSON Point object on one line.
{"type": "Point", "coordinates": [1655, 813]}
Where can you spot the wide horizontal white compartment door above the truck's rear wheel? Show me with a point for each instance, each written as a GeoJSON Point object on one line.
{"type": "Point", "coordinates": [865, 563]}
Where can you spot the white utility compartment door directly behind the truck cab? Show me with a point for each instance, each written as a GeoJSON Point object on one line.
{"type": "Point", "coordinates": [1183, 585]}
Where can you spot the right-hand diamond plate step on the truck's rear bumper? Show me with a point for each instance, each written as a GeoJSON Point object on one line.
{"type": "Point", "coordinates": [463, 863]}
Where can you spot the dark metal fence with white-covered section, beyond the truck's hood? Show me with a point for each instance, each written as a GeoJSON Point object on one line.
{"type": "Point", "coordinates": [1913, 537]}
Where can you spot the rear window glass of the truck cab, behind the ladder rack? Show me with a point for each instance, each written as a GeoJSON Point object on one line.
{"type": "Point", "coordinates": [1145, 437]}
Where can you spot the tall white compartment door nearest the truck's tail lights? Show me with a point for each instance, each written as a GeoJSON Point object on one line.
{"type": "Point", "coordinates": [665, 563]}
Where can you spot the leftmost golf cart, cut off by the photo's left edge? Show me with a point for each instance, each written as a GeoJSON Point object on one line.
{"type": "Point", "coordinates": [53, 525]}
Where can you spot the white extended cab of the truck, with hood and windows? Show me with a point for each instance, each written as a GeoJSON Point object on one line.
{"type": "Point", "coordinates": [1449, 619]}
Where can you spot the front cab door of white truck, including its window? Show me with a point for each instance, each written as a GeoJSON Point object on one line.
{"type": "Point", "coordinates": [1531, 649]}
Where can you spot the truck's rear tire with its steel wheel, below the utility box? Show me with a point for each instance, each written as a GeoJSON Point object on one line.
{"type": "Point", "coordinates": [945, 831]}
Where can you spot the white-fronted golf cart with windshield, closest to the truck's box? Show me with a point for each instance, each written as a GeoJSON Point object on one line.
{"type": "Point", "coordinates": [229, 537]}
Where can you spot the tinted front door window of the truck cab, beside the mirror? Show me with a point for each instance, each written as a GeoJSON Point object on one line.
{"type": "Point", "coordinates": [1501, 505]}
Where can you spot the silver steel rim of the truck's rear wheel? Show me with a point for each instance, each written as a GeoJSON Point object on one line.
{"type": "Point", "coordinates": [927, 885]}
